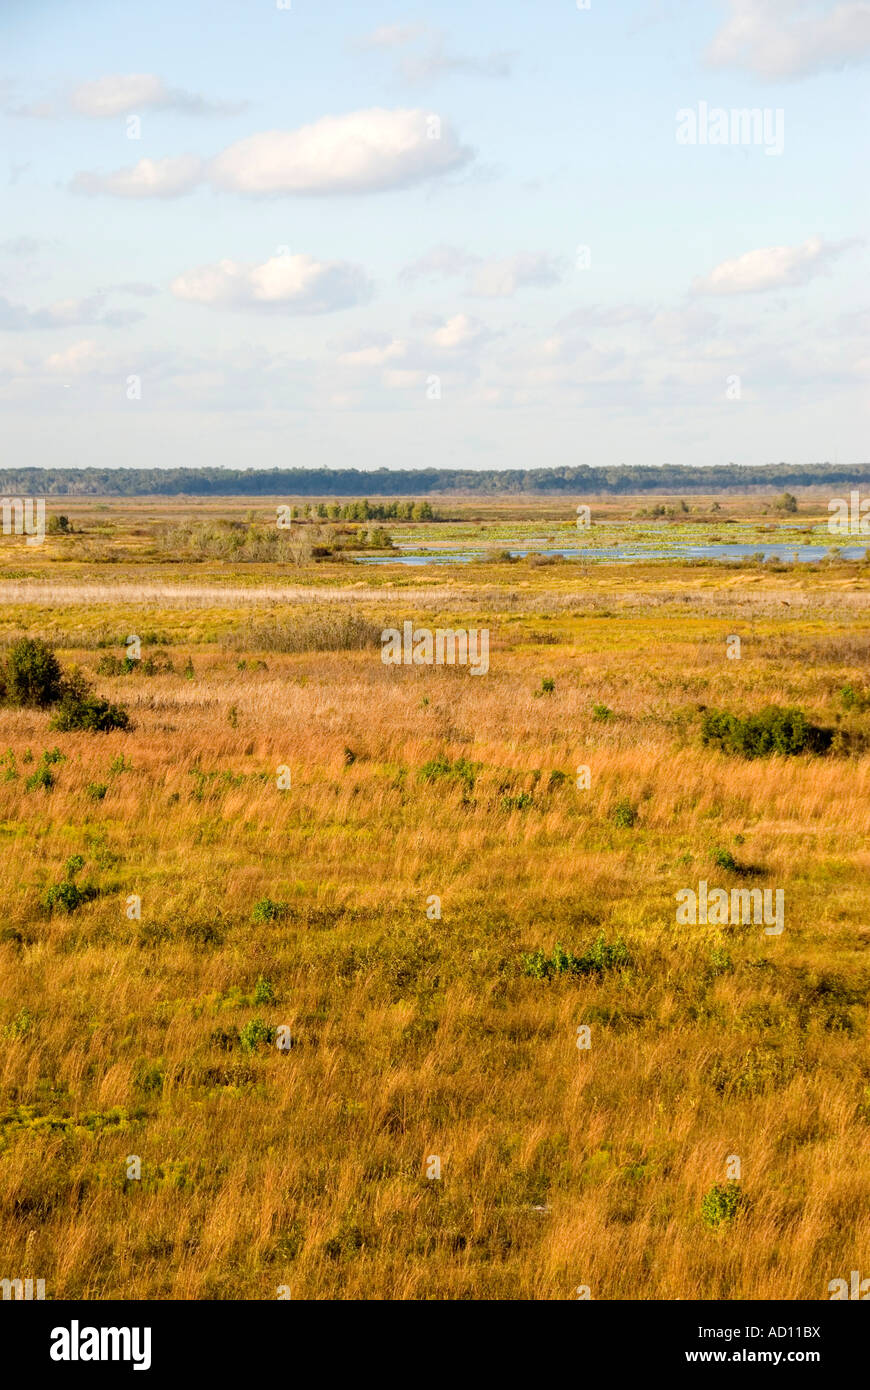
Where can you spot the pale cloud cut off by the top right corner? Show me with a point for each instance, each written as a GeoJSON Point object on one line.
{"type": "Point", "coordinates": [787, 38]}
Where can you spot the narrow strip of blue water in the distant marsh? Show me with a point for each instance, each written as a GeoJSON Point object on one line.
{"type": "Point", "coordinates": [734, 551]}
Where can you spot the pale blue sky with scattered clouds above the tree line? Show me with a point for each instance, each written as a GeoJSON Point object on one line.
{"type": "Point", "coordinates": [262, 234]}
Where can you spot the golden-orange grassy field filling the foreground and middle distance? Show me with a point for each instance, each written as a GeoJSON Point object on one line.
{"type": "Point", "coordinates": [427, 915]}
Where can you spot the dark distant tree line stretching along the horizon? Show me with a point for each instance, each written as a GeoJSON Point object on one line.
{"type": "Point", "coordinates": [402, 483]}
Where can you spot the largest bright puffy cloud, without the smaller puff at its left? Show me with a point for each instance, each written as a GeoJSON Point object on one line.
{"type": "Point", "coordinates": [359, 154]}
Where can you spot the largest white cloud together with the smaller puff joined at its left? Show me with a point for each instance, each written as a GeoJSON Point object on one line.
{"type": "Point", "coordinates": [363, 152]}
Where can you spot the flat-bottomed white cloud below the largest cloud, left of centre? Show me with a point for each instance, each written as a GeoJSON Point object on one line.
{"type": "Point", "coordinates": [288, 284]}
